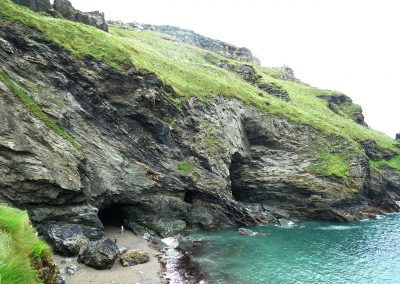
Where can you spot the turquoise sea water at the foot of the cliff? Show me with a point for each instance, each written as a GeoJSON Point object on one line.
{"type": "Point", "coordinates": [308, 252]}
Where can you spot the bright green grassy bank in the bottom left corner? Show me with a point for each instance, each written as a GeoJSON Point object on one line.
{"type": "Point", "coordinates": [20, 248]}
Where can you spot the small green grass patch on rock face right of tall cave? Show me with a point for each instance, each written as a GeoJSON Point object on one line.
{"type": "Point", "coordinates": [331, 164]}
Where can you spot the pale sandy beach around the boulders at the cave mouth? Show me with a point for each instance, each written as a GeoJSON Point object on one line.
{"type": "Point", "coordinates": [147, 273]}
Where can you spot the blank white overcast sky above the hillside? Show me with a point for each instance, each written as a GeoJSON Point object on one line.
{"type": "Point", "coordinates": [350, 46]}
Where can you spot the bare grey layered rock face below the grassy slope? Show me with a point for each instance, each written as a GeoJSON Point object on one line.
{"type": "Point", "coordinates": [157, 168]}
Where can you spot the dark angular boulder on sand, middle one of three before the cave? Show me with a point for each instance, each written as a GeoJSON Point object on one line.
{"type": "Point", "coordinates": [100, 254]}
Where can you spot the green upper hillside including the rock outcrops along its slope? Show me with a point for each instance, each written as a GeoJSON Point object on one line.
{"type": "Point", "coordinates": [193, 71]}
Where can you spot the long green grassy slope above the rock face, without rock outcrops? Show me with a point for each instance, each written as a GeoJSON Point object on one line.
{"type": "Point", "coordinates": [187, 70]}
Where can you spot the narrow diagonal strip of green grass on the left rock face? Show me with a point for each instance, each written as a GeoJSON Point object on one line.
{"type": "Point", "coordinates": [36, 110]}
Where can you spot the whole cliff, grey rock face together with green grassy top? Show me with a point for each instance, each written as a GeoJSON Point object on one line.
{"type": "Point", "coordinates": [167, 136]}
